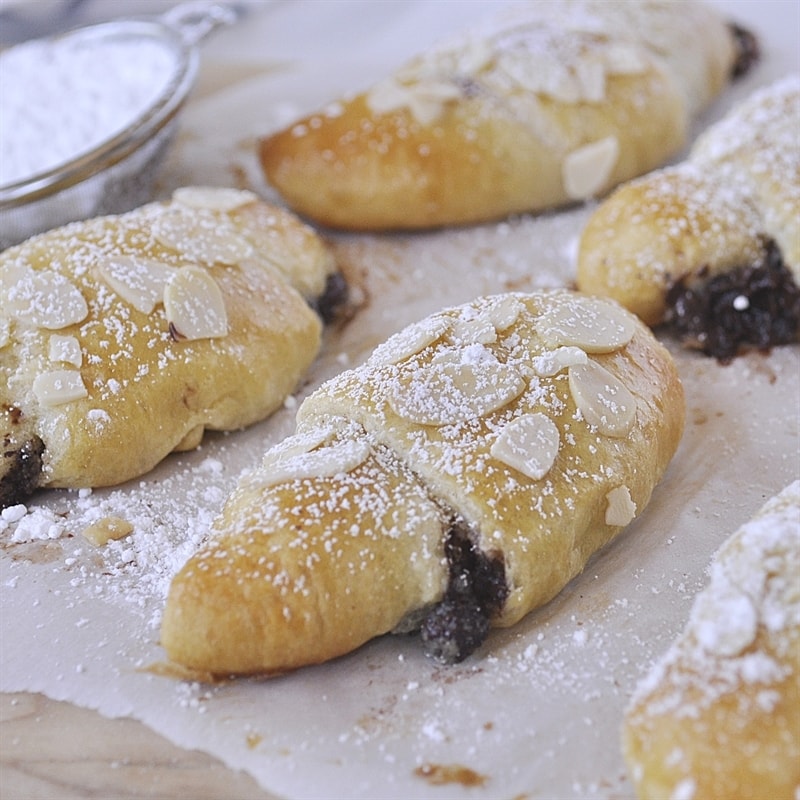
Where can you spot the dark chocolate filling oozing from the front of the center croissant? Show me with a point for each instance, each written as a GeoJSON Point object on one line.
{"type": "Point", "coordinates": [476, 591]}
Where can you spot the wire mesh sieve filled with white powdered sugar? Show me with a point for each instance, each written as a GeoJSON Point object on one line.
{"type": "Point", "coordinates": [87, 116]}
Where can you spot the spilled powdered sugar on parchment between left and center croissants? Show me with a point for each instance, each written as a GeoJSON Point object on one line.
{"type": "Point", "coordinates": [135, 569]}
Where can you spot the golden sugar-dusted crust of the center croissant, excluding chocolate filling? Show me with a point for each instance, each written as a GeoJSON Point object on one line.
{"type": "Point", "coordinates": [339, 535]}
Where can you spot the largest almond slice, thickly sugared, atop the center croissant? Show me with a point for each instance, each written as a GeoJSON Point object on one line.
{"type": "Point", "coordinates": [457, 386]}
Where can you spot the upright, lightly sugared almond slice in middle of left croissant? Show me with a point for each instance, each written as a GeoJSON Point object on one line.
{"type": "Point", "coordinates": [194, 305]}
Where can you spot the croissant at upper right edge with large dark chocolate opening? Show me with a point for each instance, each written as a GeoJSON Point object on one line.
{"type": "Point", "coordinates": [712, 245]}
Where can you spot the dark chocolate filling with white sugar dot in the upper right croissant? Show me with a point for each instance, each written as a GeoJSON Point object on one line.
{"type": "Point", "coordinates": [750, 307]}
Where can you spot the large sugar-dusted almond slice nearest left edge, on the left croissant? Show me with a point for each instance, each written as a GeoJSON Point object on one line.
{"type": "Point", "coordinates": [44, 299]}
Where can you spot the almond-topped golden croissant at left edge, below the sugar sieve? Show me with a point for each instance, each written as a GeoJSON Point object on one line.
{"type": "Point", "coordinates": [147, 389]}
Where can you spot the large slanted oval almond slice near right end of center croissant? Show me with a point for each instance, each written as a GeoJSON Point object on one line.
{"type": "Point", "coordinates": [602, 399]}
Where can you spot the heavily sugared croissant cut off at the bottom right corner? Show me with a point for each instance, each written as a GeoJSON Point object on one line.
{"type": "Point", "coordinates": [717, 717]}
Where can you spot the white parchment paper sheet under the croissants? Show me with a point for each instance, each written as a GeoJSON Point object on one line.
{"type": "Point", "coordinates": [536, 712]}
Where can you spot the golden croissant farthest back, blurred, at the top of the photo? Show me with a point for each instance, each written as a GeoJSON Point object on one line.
{"type": "Point", "coordinates": [545, 106]}
